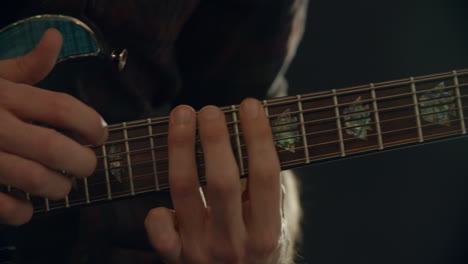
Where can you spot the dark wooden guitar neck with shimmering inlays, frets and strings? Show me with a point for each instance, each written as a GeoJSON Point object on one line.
{"type": "Point", "coordinates": [306, 128]}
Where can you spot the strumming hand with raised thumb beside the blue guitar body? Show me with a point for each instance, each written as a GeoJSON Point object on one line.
{"type": "Point", "coordinates": [32, 156]}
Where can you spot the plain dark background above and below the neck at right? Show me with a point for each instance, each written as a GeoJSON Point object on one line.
{"type": "Point", "coordinates": [404, 206]}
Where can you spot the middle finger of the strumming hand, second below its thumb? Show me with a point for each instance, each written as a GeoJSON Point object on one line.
{"type": "Point", "coordinates": [46, 146]}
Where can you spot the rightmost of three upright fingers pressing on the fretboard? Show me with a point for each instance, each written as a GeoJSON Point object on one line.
{"type": "Point", "coordinates": [264, 170]}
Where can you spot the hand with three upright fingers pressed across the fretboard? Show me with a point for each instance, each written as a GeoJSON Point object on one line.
{"type": "Point", "coordinates": [234, 227]}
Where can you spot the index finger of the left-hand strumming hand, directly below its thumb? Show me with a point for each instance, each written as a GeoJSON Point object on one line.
{"type": "Point", "coordinates": [55, 109]}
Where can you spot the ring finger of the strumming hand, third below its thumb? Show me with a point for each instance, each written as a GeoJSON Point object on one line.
{"type": "Point", "coordinates": [32, 177]}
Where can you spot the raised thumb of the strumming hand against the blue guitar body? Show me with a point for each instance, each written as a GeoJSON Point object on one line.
{"type": "Point", "coordinates": [37, 64]}
